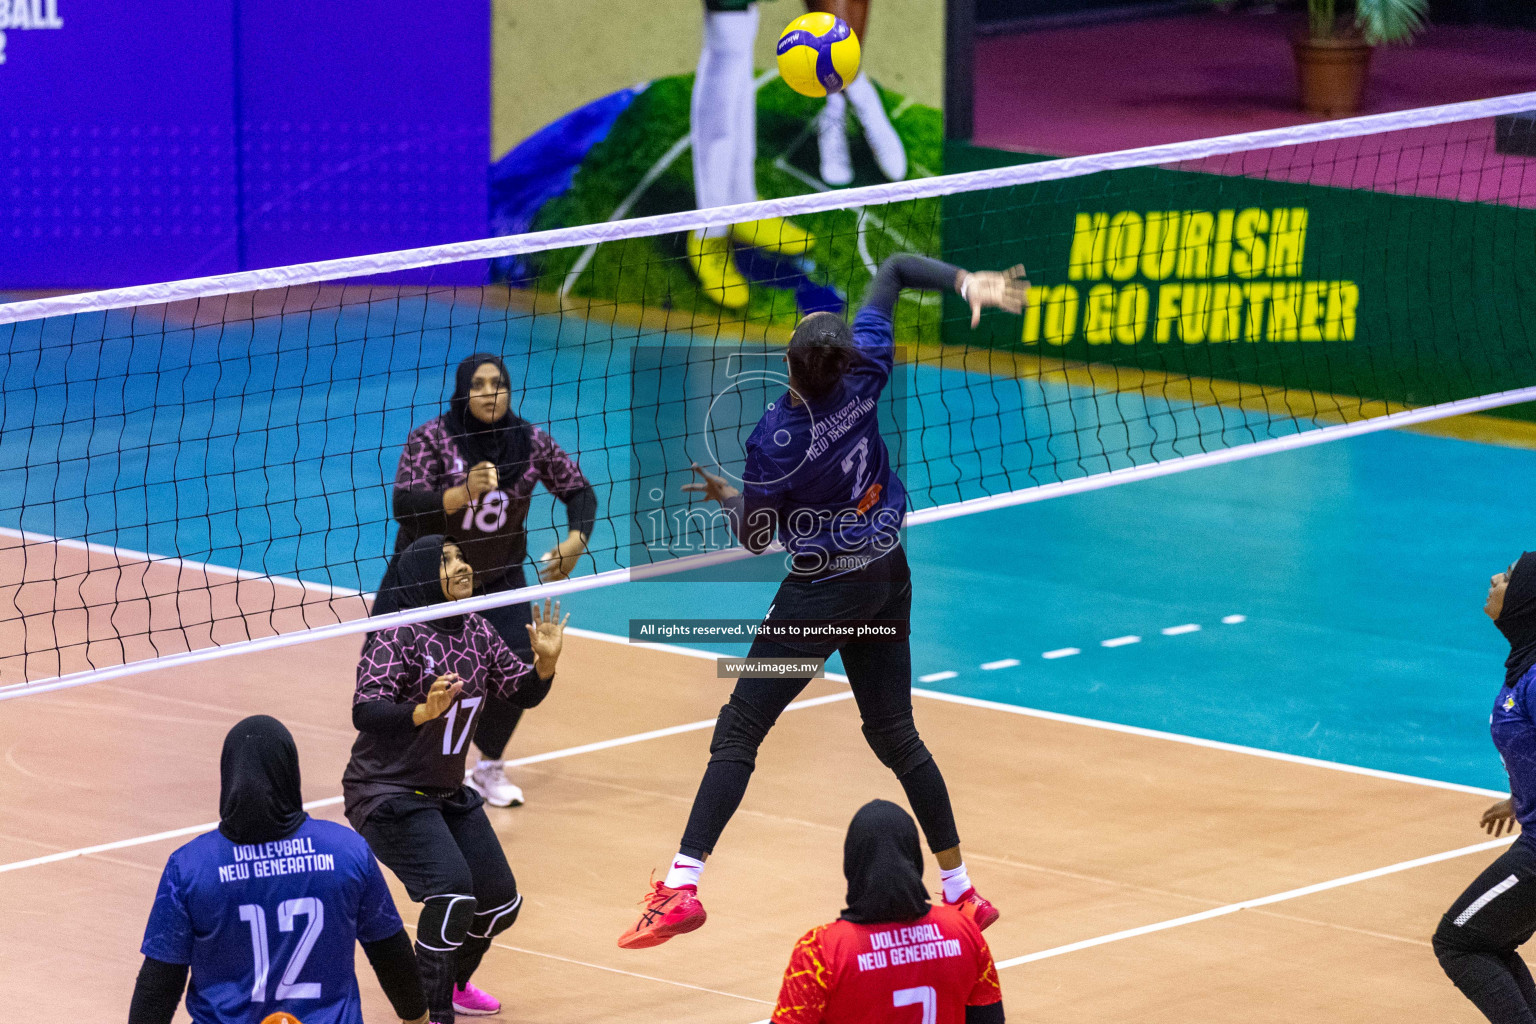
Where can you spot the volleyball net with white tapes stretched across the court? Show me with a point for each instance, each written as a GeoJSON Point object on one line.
{"type": "Point", "coordinates": [205, 467]}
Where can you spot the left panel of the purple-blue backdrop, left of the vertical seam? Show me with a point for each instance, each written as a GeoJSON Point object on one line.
{"type": "Point", "coordinates": [118, 159]}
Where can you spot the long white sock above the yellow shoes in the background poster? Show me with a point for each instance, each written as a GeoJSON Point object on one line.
{"type": "Point", "coordinates": [723, 117]}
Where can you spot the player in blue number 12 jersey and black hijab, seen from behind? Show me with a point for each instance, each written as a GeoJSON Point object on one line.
{"type": "Point", "coordinates": [263, 911]}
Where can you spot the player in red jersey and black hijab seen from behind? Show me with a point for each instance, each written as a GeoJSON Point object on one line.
{"type": "Point", "coordinates": [892, 957]}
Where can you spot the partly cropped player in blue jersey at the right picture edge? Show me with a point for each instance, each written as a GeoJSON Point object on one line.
{"type": "Point", "coordinates": [1478, 937]}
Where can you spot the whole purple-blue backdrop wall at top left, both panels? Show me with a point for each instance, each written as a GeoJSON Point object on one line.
{"type": "Point", "coordinates": [363, 127]}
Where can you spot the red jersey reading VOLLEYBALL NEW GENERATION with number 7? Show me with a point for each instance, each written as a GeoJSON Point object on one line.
{"type": "Point", "coordinates": [918, 973]}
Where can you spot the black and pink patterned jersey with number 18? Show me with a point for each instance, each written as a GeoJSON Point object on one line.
{"type": "Point", "coordinates": [492, 532]}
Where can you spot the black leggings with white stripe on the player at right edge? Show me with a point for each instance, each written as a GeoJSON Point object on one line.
{"type": "Point", "coordinates": [1478, 937]}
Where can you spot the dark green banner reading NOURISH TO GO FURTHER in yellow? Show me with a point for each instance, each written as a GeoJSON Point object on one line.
{"type": "Point", "coordinates": [1348, 292]}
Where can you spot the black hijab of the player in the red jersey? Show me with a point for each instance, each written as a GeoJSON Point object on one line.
{"type": "Point", "coordinates": [884, 865]}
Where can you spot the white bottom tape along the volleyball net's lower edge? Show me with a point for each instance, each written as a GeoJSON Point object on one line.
{"type": "Point", "coordinates": [541, 592]}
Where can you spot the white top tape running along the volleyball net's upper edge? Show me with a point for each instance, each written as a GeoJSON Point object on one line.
{"type": "Point", "coordinates": [697, 220]}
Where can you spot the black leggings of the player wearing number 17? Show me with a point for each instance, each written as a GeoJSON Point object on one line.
{"type": "Point", "coordinates": [446, 848]}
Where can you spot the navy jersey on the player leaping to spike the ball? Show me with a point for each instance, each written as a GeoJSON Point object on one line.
{"type": "Point", "coordinates": [823, 472]}
